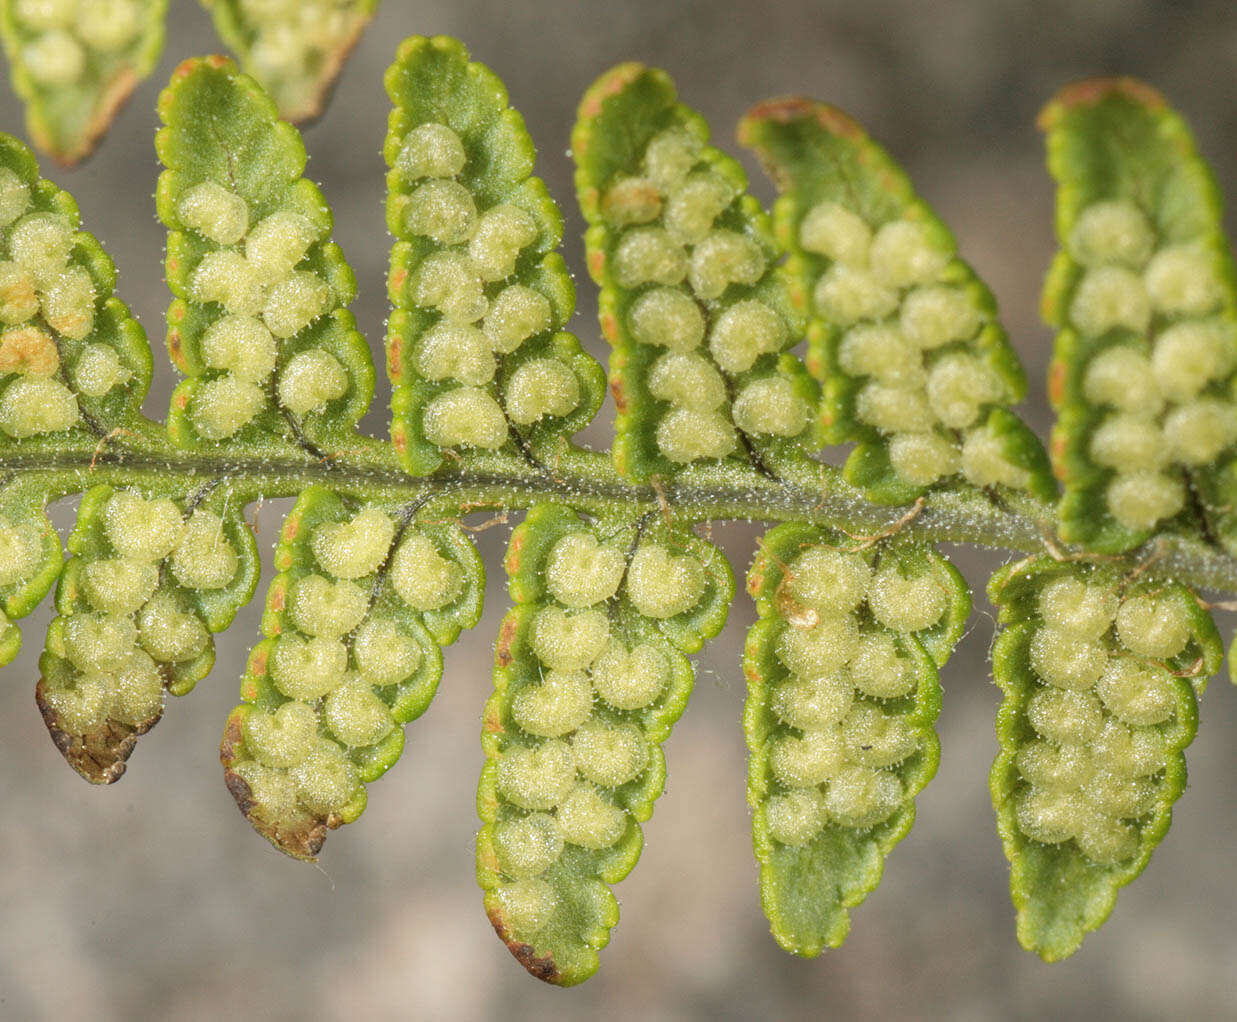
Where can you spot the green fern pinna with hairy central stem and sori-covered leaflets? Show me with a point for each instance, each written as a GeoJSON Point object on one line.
{"type": "Point", "coordinates": [1104, 643]}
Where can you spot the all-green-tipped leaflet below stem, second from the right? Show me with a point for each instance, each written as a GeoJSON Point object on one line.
{"type": "Point", "coordinates": [842, 702]}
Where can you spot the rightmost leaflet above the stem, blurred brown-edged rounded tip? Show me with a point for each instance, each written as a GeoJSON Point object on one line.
{"type": "Point", "coordinates": [1142, 369]}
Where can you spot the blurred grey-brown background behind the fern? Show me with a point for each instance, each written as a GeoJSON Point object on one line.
{"type": "Point", "coordinates": [154, 899]}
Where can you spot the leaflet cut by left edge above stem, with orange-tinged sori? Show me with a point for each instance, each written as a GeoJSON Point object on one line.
{"type": "Point", "coordinates": [64, 337]}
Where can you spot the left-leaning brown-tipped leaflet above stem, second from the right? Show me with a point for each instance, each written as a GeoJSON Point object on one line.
{"type": "Point", "coordinates": [905, 338]}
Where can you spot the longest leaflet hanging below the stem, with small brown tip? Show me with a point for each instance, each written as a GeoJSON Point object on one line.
{"type": "Point", "coordinates": [591, 676]}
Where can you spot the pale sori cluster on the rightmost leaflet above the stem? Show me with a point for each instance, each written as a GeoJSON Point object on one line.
{"type": "Point", "coordinates": [1158, 315]}
